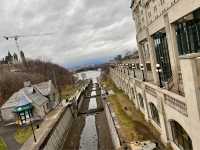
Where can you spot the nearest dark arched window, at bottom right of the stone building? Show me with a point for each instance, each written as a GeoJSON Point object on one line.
{"type": "Point", "coordinates": [180, 137]}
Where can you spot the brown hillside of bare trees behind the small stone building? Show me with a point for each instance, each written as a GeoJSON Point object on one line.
{"type": "Point", "coordinates": [12, 77]}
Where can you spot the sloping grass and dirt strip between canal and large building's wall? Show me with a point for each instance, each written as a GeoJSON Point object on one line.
{"type": "Point", "coordinates": [133, 126]}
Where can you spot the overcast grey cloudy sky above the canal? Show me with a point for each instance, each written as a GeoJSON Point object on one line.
{"type": "Point", "coordinates": [84, 31]}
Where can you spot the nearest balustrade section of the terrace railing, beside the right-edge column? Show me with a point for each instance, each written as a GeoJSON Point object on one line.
{"type": "Point", "coordinates": [176, 104]}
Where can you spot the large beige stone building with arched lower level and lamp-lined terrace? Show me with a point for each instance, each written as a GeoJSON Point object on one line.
{"type": "Point", "coordinates": [168, 36]}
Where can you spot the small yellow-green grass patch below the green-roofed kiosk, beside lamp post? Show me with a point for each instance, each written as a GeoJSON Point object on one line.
{"type": "Point", "coordinates": [22, 134]}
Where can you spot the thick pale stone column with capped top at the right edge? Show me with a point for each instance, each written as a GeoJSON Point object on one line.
{"type": "Point", "coordinates": [190, 67]}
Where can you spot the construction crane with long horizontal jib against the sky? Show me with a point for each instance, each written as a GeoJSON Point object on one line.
{"type": "Point", "coordinates": [16, 38]}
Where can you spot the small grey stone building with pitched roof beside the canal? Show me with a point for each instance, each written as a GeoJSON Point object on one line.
{"type": "Point", "coordinates": [43, 97]}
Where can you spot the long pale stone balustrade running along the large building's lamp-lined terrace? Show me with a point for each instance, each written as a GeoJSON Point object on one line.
{"type": "Point", "coordinates": [175, 101]}
